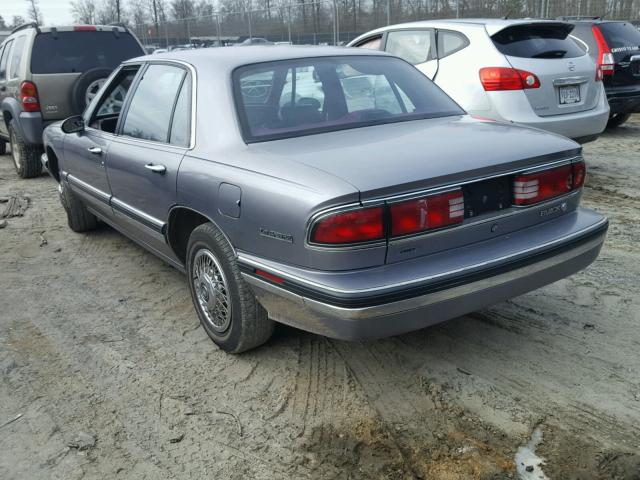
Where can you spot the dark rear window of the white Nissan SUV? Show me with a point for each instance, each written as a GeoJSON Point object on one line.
{"type": "Point", "coordinates": [537, 41]}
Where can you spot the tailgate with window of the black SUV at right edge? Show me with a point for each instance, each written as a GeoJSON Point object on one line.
{"type": "Point", "coordinates": [623, 40]}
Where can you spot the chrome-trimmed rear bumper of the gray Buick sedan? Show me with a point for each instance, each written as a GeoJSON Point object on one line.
{"type": "Point", "coordinates": [543, 255]}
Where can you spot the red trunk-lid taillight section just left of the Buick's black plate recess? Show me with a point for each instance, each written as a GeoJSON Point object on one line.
{"type": "Point", "coordinates": [427, 213]}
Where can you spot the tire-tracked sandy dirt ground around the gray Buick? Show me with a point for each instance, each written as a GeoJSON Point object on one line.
{"type": "Point", "coordinates": [106, 372]}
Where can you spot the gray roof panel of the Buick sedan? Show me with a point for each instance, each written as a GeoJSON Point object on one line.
{"type": "Point", "coordinates": [230, 58]}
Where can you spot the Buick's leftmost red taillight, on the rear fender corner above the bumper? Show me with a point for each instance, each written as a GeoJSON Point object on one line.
{"type": "Point", "coordinates": [353, 226]}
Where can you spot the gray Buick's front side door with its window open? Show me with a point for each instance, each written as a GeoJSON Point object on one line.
{"type": "Point", "coordinates": [86, 153]}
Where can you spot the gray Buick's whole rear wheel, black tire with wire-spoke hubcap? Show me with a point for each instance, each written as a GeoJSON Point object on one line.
{"type": "Point", "coordinates": [226, 307]}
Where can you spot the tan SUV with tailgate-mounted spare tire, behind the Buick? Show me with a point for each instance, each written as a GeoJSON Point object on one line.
{"type": "Point", "coordinates": [49, 74]}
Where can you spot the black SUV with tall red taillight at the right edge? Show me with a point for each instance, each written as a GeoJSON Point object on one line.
{"type": "Point", "coordinates": [615, 47]}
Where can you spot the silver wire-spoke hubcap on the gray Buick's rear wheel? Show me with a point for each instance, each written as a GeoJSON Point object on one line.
{"type": "Point", "coordinates": [212, 291]}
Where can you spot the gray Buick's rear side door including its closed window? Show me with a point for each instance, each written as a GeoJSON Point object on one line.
{"type": "Point", "coordinates": [144, 158]}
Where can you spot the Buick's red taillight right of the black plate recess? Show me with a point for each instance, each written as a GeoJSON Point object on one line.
{"type": "Point", "coordinates": [539, 186]}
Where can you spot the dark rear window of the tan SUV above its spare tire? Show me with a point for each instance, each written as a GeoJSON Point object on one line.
{"type": "Point", "coordinates": [70, 52]}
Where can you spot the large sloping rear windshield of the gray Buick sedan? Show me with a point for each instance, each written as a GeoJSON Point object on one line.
{"type": "Point", "coordinates": [312, 95]}
